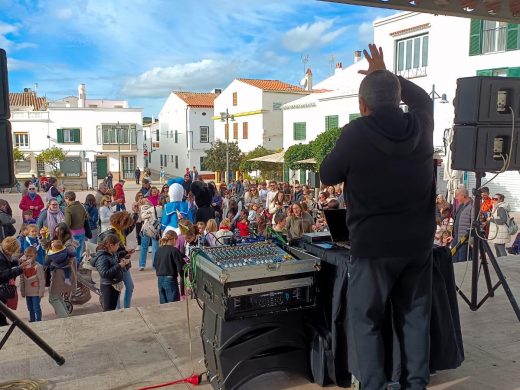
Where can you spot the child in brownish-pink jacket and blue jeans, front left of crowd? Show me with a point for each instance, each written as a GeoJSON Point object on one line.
{"type": "Point", "coordinates": [32, 284]}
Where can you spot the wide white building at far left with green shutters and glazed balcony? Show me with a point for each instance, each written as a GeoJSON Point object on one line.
{"type": "Point", "coordinates": [98, 135]}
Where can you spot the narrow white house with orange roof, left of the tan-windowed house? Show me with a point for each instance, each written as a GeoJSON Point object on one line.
{"type": "Point", "coordinates": [184, 133]}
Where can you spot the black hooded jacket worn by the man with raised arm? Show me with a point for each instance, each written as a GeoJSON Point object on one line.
{"type": "Point", "coordinates": [386, 162]}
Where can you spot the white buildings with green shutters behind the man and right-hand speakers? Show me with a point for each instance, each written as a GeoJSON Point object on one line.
{"type": "Point", "coordinates": [432, 51]}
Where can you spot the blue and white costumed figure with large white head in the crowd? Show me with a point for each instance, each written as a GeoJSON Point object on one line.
{"type": "Point", "coordinates": [176, 207]}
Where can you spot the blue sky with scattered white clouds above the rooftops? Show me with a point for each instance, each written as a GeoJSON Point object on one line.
{"type": "Point", "coordinates": [140, 50]}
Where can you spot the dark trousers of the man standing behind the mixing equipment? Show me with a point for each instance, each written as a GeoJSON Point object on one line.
{"type": "Point", "coordinates": [407, 283]}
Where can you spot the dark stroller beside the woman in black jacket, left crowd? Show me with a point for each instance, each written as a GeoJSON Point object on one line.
{"type": "Point", "coordinates": [86, 285]}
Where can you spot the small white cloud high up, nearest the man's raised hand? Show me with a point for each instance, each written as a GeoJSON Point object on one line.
{"type": "Point", "coordinates": [313, 35]}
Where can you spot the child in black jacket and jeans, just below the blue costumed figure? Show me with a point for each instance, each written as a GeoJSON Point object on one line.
{"type": "Point", "coordinates": [168, 265]}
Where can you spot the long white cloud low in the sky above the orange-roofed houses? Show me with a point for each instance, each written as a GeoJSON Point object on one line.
{"type": "Point", "coordinates": [195, 76]}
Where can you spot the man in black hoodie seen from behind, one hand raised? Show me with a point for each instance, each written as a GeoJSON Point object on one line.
{"type": "Point", "coordinates": [391, 231]}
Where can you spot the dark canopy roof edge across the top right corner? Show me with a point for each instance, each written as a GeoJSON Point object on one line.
{"type": "Point", "coordinates": [505, 11]}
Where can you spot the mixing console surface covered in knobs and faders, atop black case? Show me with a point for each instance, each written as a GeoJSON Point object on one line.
{"type": "Point", "coordinates": [264, 252]}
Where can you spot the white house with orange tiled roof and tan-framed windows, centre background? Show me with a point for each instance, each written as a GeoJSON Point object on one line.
{"type": "Point", "coordinates": [255, 107]}
